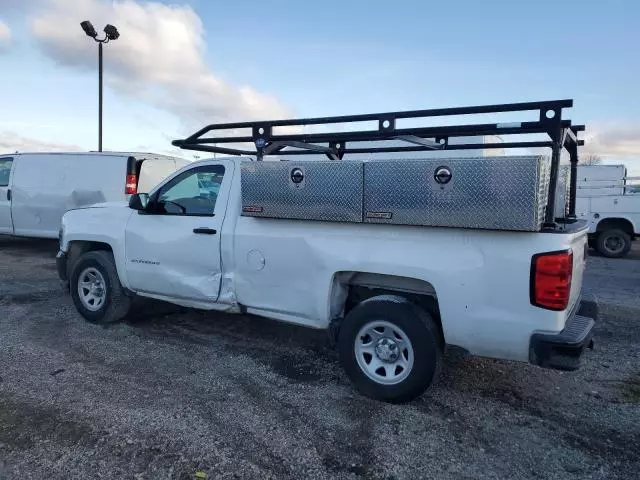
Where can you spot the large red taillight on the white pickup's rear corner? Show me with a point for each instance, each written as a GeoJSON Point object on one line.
{"type": "Point", "coordinates": [551, 279]}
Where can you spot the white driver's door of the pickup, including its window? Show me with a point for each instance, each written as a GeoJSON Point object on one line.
{"type": "Point", "coordinates": [174, 249]}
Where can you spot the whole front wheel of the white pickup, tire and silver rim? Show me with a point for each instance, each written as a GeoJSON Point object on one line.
{"type": "Point", "coordinates": [96, 289]}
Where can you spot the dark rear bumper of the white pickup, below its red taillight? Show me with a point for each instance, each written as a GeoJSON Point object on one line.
{"type": "Point", "coordinates": [563, 350]}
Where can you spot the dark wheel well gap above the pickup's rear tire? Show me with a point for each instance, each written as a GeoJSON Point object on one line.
{"type": "Point", "coordinates": [351, 288]}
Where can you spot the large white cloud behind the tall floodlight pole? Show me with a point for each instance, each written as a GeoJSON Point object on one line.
{"type": "Point", "coordinates": [159, 58]}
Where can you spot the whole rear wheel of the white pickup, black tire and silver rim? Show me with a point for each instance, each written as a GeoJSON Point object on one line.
{"type": "Point", "coordinates": [390, 348]}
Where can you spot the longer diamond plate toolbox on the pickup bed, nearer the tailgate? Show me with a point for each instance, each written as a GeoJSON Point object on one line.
{"type": "Point", "coordinates": [501, 193]}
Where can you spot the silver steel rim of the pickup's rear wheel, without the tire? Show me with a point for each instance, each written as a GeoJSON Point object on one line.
{"type": "Point", "coordinates": [384, 352]}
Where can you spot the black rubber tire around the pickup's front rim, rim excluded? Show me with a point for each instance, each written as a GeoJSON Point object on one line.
{"type": "Point", "coordinates": [116, 303]}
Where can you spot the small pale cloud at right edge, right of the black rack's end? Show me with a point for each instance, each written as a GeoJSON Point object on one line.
{"type": "Point", "coordinates": [613, 141]}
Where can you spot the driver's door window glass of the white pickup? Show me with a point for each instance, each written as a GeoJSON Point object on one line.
{"type": "Point", "coordinates": [191, 193]}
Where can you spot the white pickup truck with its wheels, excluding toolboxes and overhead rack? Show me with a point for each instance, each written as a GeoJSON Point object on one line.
{"type": "Point", "coordinates": [392, 296]}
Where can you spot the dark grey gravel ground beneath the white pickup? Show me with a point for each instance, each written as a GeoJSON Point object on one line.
{"type": "Point", "coordinates": [172, 392]}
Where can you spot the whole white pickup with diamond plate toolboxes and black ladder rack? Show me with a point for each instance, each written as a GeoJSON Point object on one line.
{"type": "Point", "coordinates": [375, 252]}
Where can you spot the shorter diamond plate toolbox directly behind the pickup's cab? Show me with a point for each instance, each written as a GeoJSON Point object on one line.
{"type": "Point", "coordinates": [308, 190]}
